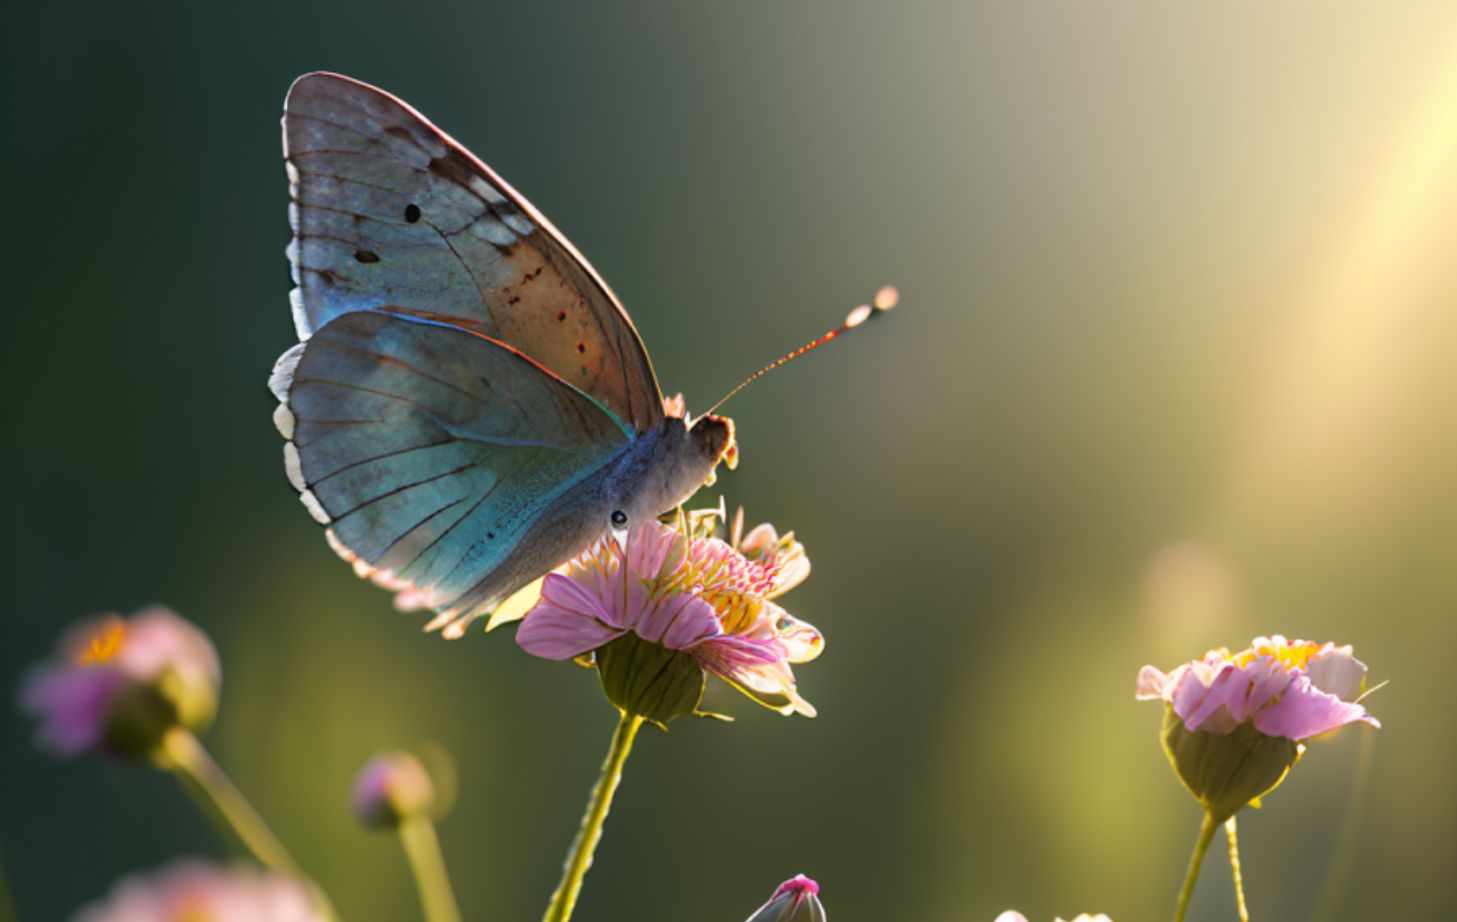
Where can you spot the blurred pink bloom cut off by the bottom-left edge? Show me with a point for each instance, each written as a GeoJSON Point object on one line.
{"type": "Point", "coordinates": [199, 892]}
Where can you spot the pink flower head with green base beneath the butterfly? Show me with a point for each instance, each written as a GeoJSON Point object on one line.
{"type": "Point", "coordinates": [665, 607]}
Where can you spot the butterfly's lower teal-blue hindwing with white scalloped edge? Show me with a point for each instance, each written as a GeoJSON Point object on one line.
{"type": "Point", "coordinates": [433, 454]}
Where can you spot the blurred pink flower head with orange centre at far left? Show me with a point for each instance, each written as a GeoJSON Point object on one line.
{"type": "Point", "coordinates": [120, 684]}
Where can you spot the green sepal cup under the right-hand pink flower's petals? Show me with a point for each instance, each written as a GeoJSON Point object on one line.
{"type": "Point", "coordinates": [1226, 771]}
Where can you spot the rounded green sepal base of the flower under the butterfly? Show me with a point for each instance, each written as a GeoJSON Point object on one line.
{"type": "Point", "coordinates": [651, 681]}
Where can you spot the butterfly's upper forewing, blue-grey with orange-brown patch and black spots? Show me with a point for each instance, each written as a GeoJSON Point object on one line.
{"type": "Point", "coordinates": [390, 210]}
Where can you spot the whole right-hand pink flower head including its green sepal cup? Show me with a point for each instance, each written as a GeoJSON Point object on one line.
{"type": "Point", "coordinates": [1235, 725]}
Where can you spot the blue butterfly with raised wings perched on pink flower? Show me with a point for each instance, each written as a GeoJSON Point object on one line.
{"type": "Point", "coordinates": [470, 404]}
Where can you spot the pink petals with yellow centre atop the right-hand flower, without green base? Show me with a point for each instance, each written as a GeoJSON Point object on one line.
{"type": "Point", "coordinates": [1292, 690]}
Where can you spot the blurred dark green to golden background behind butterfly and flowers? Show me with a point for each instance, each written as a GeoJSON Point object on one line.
{"type": "Point", "coordinates": [1174, 368]}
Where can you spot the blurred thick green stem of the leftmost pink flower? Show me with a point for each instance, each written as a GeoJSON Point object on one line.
{"type": "Point", "coordinates": [184, 755]}
